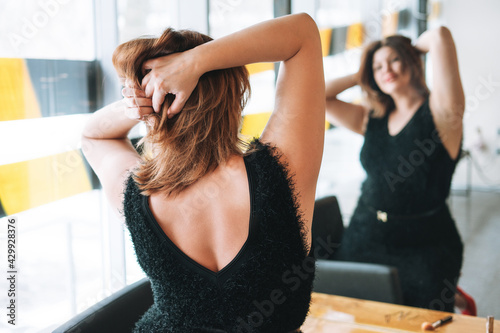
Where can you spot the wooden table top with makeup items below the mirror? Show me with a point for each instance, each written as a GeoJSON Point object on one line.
{"type": "Point", "coordinates": [336, 314]}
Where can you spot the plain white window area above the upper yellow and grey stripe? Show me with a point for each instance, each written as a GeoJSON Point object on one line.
{"type": "Point", "coordinates": [47, 29]}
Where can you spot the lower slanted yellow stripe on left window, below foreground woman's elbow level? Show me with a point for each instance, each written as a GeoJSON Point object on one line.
{"type": "Point", "coordinates": [29, 184]}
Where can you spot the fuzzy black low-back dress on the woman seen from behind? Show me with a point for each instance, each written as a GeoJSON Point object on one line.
{"type": "Point", "coordinates": [265, 288]}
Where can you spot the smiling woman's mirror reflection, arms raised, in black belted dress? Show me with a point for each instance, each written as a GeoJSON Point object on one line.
{"type": "Point", "coordinates": [412, 145]}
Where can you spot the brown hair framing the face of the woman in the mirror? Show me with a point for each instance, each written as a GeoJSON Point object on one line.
{"type": "Point", "coordinates": [411, 60]}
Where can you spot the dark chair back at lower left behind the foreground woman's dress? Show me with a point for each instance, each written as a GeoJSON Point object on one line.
{"type": "Point", "coordinates": [116, 313]}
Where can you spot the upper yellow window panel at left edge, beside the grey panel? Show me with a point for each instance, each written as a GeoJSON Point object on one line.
{"type": "Point", "coordinates": [17, 96]}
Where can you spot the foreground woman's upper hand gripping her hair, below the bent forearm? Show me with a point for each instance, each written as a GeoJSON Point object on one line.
{"type": "Point", "coordinates": [172, 74]}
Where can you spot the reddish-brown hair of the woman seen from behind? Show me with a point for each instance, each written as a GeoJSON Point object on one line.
{"type": "Point", "coordinates": [179, 151]}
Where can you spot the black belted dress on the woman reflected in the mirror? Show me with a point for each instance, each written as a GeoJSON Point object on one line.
{"type": "Point", "coordinates": [402, 218]}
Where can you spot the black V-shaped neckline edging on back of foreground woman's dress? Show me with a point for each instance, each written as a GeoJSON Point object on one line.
{"type": "Point", "coordinates": [224, 272]}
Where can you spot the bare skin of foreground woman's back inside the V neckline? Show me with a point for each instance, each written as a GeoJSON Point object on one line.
{"type": "Point", "coordinates": [209, 221]}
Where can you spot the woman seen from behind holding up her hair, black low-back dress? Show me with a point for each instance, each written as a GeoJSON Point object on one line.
{"type": "Point", "coordinates": [222, 233]}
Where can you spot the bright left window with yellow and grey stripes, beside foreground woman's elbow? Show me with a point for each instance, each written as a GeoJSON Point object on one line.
{"type": "Point", "coordinates": [48, 76]}
